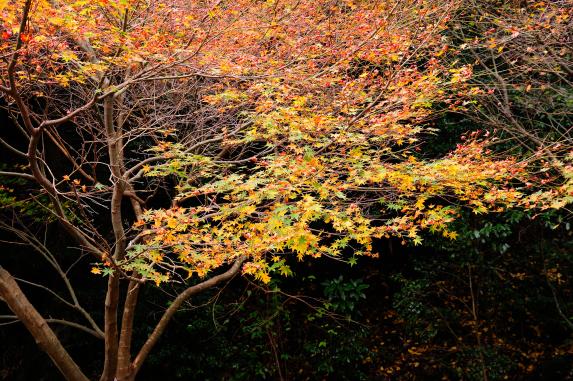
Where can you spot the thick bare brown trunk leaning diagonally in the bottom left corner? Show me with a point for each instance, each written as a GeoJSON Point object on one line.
{"type": "Point", "coordinates": [38, 327]}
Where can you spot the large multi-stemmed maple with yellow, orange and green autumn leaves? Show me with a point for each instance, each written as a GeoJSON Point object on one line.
{"type": "Point", "coordinates": [270, 129]}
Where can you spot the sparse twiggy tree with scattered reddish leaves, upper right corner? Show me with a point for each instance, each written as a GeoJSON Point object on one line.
{"type": "Point", "coordinates": [523, 64]}
